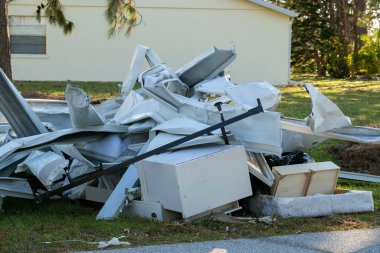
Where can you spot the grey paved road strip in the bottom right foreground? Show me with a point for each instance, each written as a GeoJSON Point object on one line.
{"type": "Point", "coordinates": [364, 240]}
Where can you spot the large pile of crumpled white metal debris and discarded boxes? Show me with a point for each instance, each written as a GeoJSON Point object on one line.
{"type": "Point", "coordinates": [186, 144]}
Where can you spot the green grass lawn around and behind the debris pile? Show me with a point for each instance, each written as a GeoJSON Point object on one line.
{"type": "Point", "coordinates": [25, 225]}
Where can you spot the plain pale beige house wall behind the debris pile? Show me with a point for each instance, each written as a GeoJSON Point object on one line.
{"type": "Point", "coordinates": [178, 30]}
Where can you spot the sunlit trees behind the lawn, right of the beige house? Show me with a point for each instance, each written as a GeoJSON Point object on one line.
{"type": "Point", "coordinates": [333, 36]}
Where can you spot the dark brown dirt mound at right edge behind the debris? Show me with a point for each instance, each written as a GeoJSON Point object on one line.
{"type": "Point", "coordinates": [361, 158]}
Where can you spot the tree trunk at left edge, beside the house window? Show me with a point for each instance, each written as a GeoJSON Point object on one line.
{"type": "Point", "coordinates": [5, 47]}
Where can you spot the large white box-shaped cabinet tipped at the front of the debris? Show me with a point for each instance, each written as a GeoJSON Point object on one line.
{"type": "Point", "coordinates": [192, 181]}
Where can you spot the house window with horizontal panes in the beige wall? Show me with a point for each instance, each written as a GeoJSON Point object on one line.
{"type": "Point", "coordinates": [28, 36]}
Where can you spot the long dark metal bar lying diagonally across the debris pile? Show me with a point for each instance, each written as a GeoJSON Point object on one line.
{"type": "Point", "coordinates": [122, 166]}
